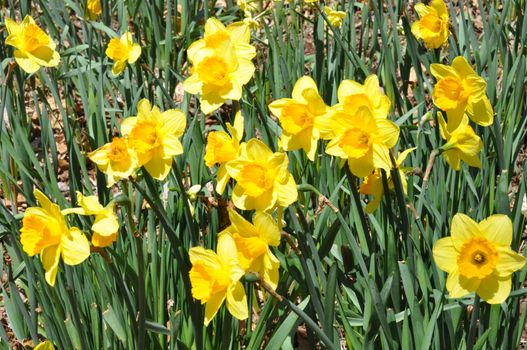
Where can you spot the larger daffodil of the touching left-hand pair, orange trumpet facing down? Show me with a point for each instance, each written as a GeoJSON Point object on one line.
{"type": "Point", "coordinates": [154, 137]}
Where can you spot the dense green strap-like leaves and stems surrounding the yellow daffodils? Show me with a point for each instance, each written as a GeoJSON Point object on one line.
{"type": "Point", "coordinates": [361, 281]}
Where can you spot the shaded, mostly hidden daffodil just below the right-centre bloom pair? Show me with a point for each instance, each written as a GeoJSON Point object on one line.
{"type": "Point", "coordinates": [373, 184]}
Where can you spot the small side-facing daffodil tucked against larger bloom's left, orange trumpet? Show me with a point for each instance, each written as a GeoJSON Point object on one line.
{"type": "Point", "coordinates": [116, 159]}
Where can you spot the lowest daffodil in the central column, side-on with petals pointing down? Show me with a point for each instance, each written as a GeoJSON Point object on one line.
{"type": "Point", "coordinates": [216, 277]}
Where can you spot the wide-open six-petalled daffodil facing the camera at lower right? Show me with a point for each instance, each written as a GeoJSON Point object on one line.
{"type": "Point", "coordinates": [478, 257]}
